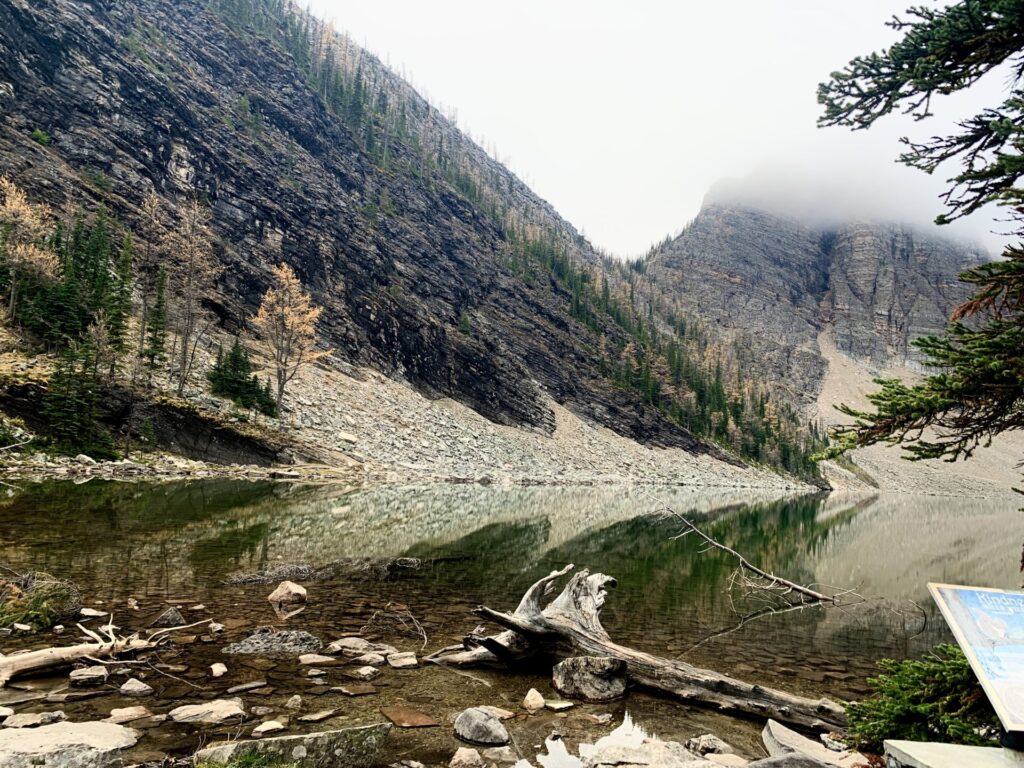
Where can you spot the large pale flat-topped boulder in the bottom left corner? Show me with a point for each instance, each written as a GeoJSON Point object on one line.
{"type": "Point", "coordinates": [67, 746]}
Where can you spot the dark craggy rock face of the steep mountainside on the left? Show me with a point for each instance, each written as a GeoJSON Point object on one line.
{"type": "Point", "coordinates": [416, 280]}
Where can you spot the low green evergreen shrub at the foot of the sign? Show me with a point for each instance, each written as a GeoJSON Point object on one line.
{"type": "Point", "coordinates": [935, 698]}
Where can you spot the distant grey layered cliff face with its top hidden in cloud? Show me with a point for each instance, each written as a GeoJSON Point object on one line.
{"type": "Point", "coordinates": [775, 284]}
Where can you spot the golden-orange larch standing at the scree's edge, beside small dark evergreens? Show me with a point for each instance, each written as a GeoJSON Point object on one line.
{"type": "Point", "coordinates": [287, 320]}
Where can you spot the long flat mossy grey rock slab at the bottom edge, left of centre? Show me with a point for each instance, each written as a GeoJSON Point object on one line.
{"type": "Point", "coordinates": [354, 748]}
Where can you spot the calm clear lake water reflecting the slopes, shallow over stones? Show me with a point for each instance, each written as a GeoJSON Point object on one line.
{"type": "Point", "coordinates": [485, 545]}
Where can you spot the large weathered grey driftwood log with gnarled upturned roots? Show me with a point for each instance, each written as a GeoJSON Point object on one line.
{"type": "Point", "coordinates": [573, 620]}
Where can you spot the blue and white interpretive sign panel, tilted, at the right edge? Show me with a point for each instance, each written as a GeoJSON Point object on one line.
{"type": "Point", "coordinates": [990, 627]}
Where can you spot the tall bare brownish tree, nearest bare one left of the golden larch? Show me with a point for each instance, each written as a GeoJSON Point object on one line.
{"type": "Point", "coordinates": [192, 269]}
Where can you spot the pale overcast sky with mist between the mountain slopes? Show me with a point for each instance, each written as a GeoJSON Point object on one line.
{"type": "Point", "coordinates": [623, 115]}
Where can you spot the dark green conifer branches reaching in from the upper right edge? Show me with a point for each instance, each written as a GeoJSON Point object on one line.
{"type": "Point", "coordinates": [979, 389]}
